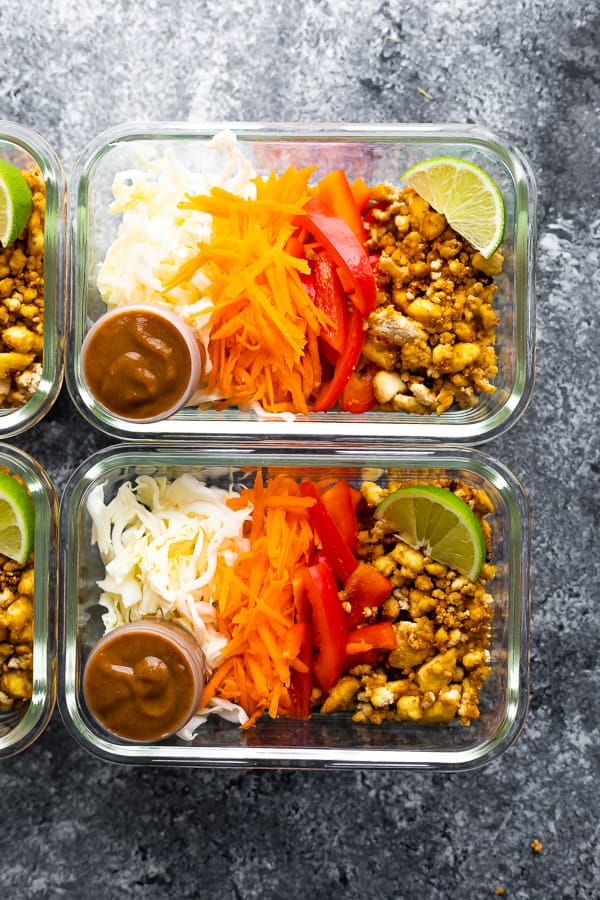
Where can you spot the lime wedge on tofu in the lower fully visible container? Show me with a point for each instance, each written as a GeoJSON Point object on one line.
{"type": "Point", "coordinates": [437, 522]}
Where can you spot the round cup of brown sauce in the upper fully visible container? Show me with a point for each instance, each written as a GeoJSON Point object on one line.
{"type": "Point", "coordinates": [137, 363]}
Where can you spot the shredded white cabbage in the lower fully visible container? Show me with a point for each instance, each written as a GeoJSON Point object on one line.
{"type": "Point", "coordinates": [160, 541]}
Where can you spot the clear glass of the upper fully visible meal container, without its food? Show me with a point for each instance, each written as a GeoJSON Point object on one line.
{"type": "Point", "coordinates": [375, 153]}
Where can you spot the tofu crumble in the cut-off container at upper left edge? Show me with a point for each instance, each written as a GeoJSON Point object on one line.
{"type": "Point", "coordinates": [22, 304]}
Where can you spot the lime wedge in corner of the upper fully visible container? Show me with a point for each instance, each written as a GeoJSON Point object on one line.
{"type": "Point", "coordinates": [466, 195]}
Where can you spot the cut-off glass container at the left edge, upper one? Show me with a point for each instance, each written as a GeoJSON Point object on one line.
{"type": "Point", "coordinates": [28, 151]}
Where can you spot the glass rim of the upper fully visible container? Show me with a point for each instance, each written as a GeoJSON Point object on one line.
{"type": "Point", "coordinates": [461, 426]}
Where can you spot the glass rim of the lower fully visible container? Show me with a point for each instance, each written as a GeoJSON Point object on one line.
{"type": "Point", "coordinates": [291, 454]}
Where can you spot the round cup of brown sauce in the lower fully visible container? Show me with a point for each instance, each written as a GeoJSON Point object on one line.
{"type": "Point", "coordinates": [143, 681]}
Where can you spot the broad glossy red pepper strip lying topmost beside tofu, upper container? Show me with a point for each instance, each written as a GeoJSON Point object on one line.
{"type": "Point", "coordinates": [340, 242]}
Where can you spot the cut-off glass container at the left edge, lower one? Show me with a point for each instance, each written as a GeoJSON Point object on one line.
{"type": "Point", "coordinates": [24, 723]}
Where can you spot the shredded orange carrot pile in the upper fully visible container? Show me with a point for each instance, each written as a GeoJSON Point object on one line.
{"type": "Point", "coordinates": [264, 324]}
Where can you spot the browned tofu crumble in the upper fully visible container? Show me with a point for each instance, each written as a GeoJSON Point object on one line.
{"type": "Point", "coordinates": [433, 333]}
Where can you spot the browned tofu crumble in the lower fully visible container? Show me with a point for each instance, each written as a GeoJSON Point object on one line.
{"type": "Point", "coordinates": [442, 623]}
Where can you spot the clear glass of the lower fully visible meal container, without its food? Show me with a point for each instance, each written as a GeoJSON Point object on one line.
{"type": "Point", "coordinates": [324, 740]}
